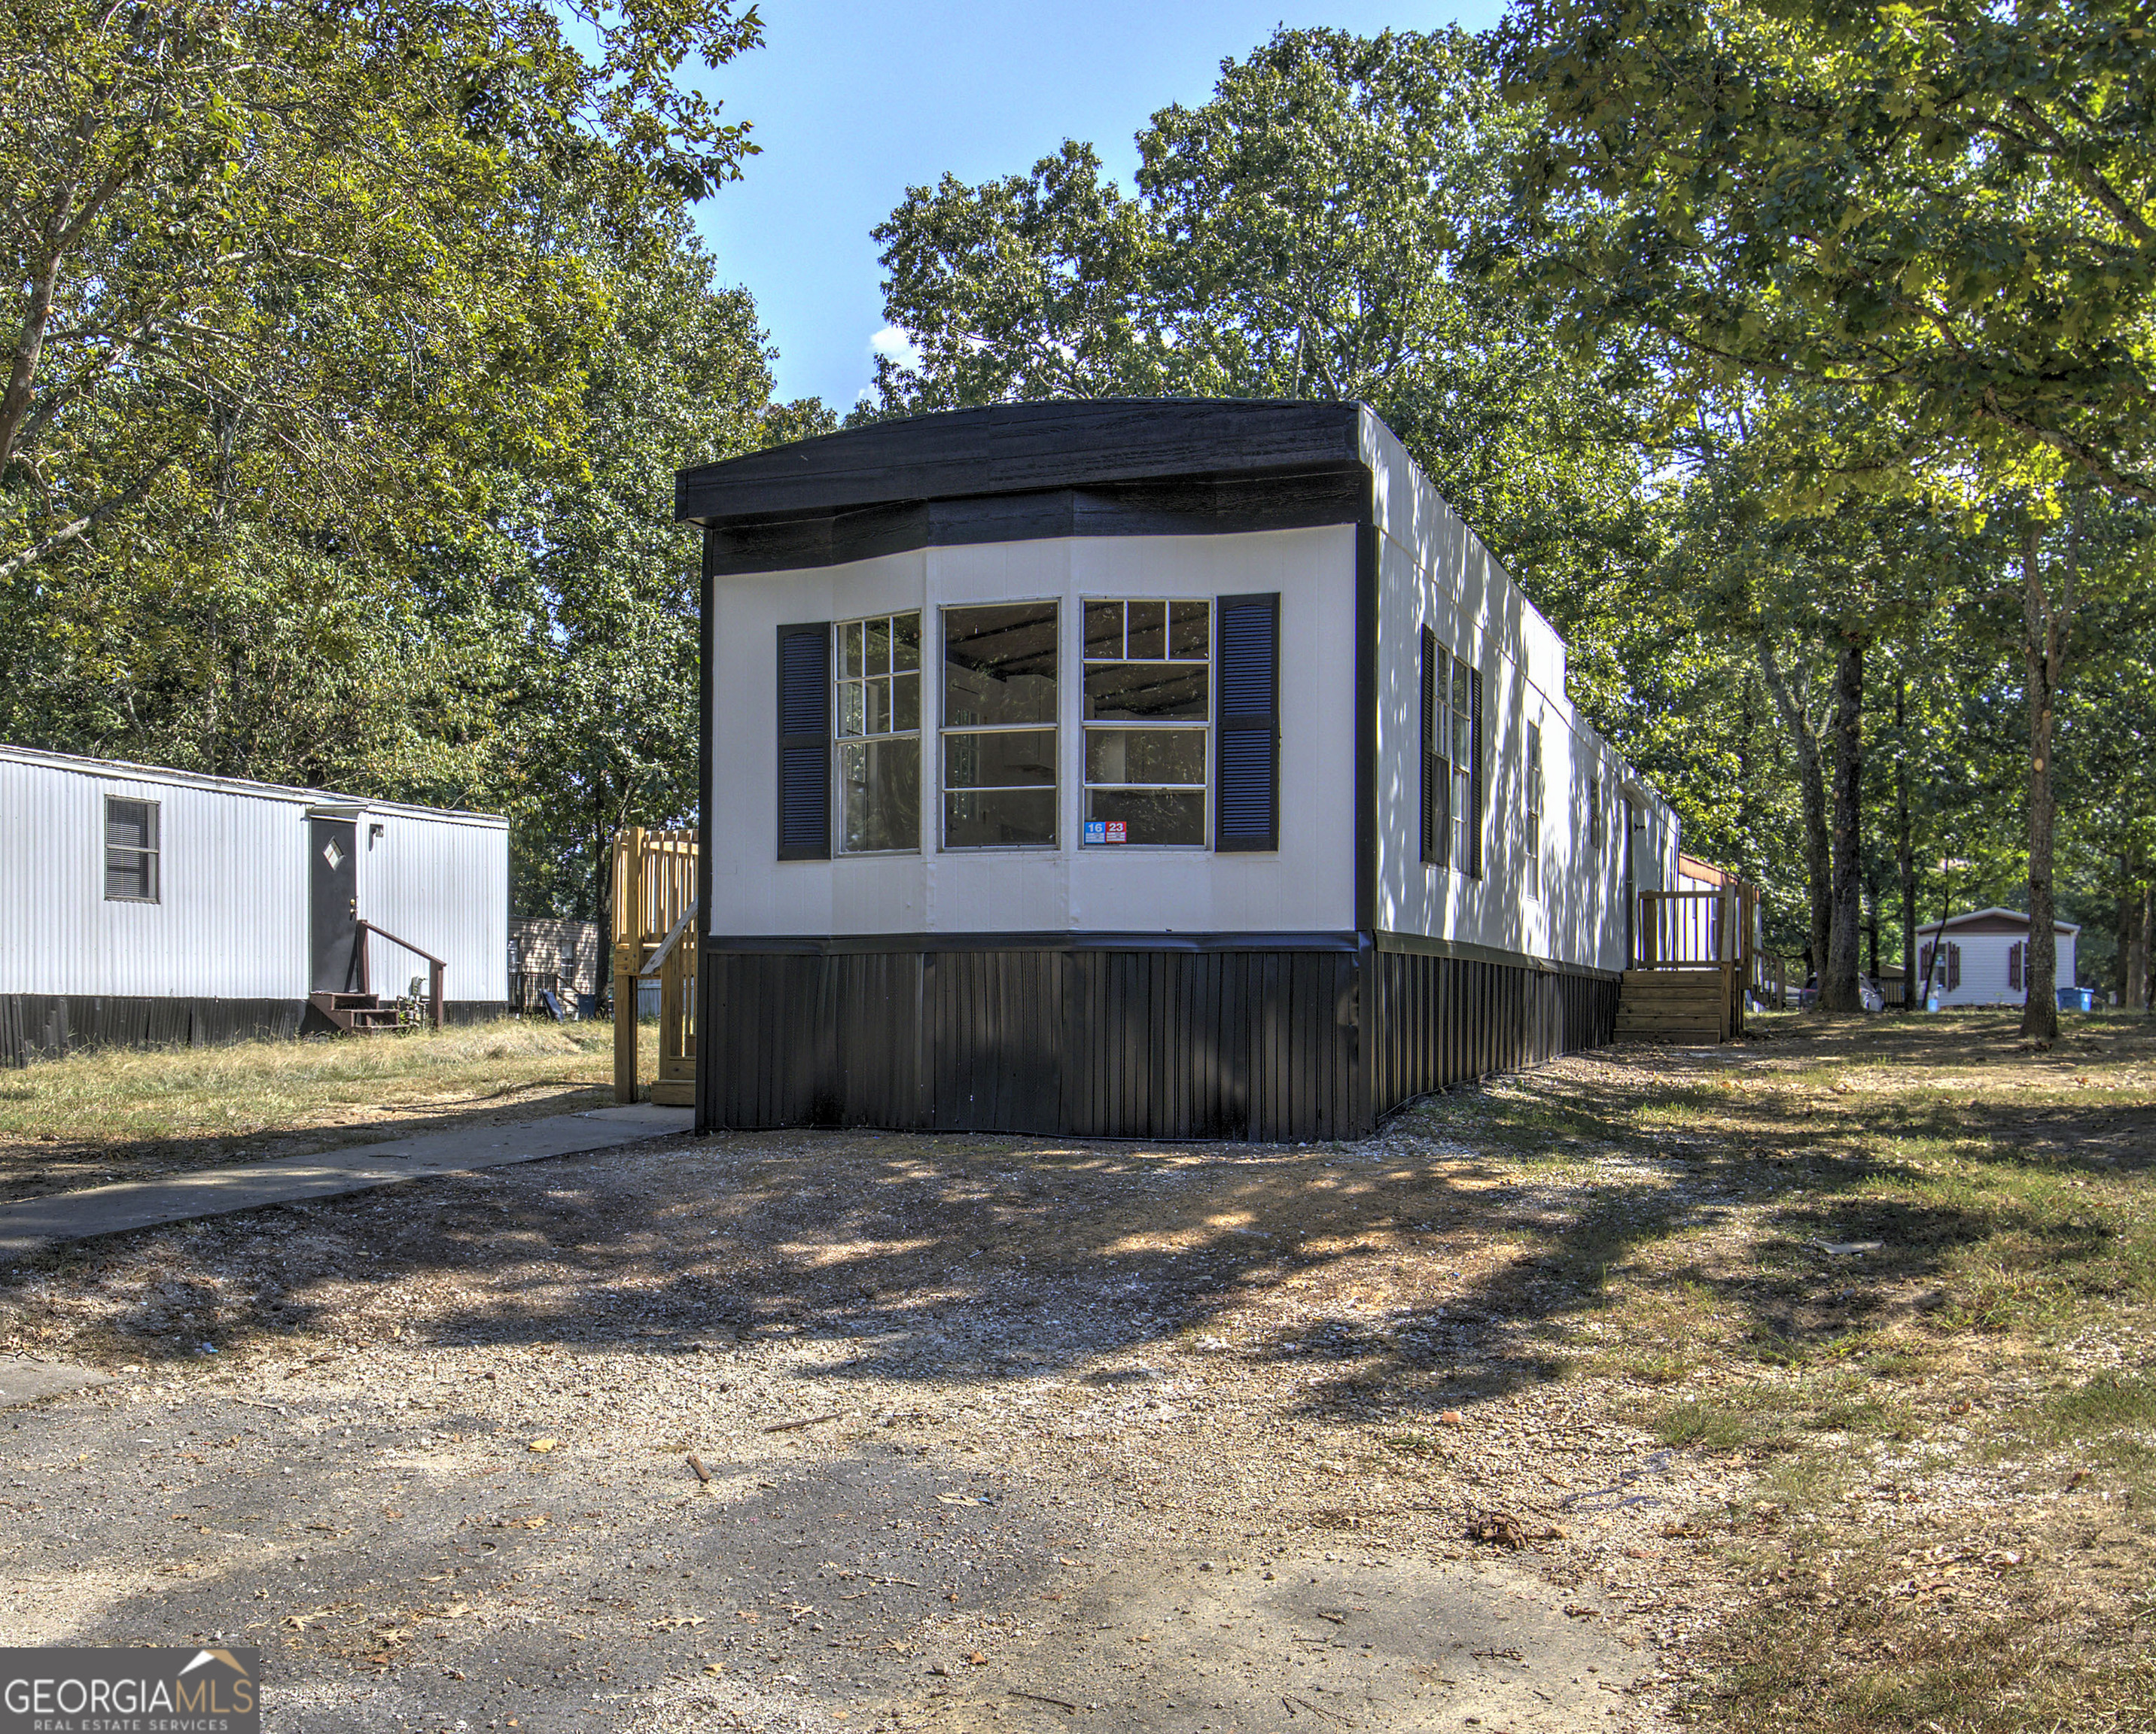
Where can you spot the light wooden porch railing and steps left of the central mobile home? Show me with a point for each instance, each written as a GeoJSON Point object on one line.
{"type": "Point", "coordinates": [657, 935]}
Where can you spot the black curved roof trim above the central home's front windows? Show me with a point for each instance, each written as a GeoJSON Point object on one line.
{"type": "Point", "coordinates": [1075, 450]}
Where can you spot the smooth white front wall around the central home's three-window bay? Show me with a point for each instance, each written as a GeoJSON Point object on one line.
{"type": "Point", "coordinates": [1305, 887]}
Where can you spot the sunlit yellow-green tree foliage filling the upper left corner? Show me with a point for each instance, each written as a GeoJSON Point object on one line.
{"type": "Point", "coordinates": [290, 253]}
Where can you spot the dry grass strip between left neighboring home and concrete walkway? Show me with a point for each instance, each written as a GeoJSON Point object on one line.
{"type": "Point", "coordinates": [124, 1114]}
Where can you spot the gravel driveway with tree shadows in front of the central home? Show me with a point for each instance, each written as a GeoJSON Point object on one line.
{"type": "Point", "coordinates": [999, 1433]}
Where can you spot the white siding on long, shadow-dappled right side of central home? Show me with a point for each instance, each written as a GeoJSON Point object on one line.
{"type": "Point", "coordinates": [1437, 573]}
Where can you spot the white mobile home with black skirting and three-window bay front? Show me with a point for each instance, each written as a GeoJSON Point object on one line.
{"type": "Point", "coordinates": [1139, 769]}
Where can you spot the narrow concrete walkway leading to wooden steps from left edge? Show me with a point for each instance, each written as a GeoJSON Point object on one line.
{"type": "Point", "coordinates": [182, 1198]}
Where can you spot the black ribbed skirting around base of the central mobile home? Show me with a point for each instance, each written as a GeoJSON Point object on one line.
{"type": "Point", "coordinates": [1193, 1043]}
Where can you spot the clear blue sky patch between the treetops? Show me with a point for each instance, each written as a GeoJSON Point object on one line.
{"type": "Point", "coordinates": [855, 102]}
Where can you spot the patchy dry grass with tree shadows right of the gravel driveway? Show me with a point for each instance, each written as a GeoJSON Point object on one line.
{"type": "Point", "coordinates": [1905, 1276]}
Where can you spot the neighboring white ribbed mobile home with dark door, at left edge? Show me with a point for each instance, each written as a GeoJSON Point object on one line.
{"type": "Point", "coordinates": [143, 905]}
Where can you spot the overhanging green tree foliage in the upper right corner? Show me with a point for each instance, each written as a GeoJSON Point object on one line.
{"type": "Point", "coordinates": [1944, 206]}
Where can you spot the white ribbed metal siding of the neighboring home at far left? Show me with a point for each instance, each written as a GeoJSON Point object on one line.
{"type": "Point", "coordinates": [232, 913]}
